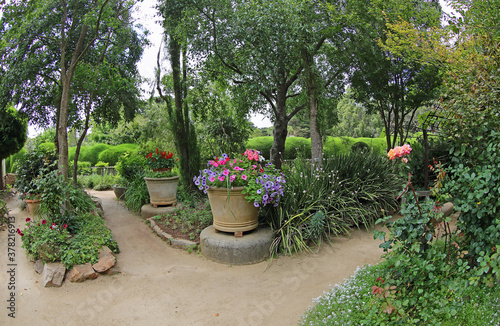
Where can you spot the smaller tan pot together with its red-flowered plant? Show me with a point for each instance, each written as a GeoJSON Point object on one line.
{"type": "Point", "coordinates": [160, 178]}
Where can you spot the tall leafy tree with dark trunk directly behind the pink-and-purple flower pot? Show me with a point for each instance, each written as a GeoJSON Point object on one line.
{"type": "Point", "coordinates": [259, 46]}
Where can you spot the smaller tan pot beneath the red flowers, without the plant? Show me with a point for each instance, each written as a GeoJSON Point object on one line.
{"type": "Point", "coordinates": [162, 191]}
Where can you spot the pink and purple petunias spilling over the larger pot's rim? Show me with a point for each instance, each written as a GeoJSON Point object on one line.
{"type": "Point", "coordinates": [262, 184]}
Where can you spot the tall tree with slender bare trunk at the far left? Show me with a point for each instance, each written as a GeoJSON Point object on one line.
{"type": "Point", "coordinates": [56, 35]}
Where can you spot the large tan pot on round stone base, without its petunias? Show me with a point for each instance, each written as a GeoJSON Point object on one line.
{"type": "Point", "coordinates": [232, 213]}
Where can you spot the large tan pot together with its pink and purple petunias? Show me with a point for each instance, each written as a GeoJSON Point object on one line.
{"type": "Point", "coordinates": [237, 187]}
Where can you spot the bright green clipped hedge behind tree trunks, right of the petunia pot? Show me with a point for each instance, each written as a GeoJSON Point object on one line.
{"type": "Point", "coordinates": [332, 146]}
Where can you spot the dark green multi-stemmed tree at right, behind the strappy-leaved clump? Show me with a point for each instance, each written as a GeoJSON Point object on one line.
{"type": "Point", "coordinates": [391, 85]}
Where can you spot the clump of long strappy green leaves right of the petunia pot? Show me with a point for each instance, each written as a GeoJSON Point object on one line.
{"type": "Point", "coordinates": [348, 190]}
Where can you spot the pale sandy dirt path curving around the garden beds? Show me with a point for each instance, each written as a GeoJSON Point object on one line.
{"type": "Point", "coordinates": [160, 285]}
